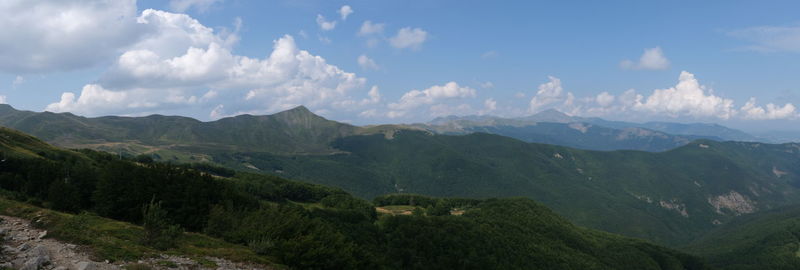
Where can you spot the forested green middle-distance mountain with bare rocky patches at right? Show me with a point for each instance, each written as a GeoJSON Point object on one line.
{"type": "Point", "coordinates": [668, 197]}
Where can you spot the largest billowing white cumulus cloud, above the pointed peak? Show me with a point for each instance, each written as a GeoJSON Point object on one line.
{"type": "Point", "coordinates": [154, 74]}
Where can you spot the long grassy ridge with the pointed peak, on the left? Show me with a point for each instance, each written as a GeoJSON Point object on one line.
{"type": "Point", "coordinates": [296, 131]}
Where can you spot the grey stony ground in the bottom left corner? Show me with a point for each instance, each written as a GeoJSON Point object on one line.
{"type": "Point", "coordinates": [28, 248]}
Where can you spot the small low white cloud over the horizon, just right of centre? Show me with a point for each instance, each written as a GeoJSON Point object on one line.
{"type": "Point", "coordinates": [433, 96]}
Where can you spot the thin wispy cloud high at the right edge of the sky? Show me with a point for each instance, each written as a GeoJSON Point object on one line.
{"type": "Point", "coordinates": [770, 38]}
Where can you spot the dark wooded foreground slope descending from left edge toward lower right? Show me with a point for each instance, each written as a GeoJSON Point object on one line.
{"type": "Point", "coordinates": [301, 225]}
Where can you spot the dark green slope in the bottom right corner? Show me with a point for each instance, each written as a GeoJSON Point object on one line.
{"type": "Point", "coordinates": [767, 240]}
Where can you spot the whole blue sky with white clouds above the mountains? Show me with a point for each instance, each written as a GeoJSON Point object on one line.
{"type": "Point", "coordinates": [736, 63]}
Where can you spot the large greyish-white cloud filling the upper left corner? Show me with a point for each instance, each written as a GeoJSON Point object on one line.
{"type": "Point", "coordinates": [41, 36]}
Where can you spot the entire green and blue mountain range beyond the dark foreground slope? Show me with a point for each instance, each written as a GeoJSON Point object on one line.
{"type": "Point", "coordinates": [669, 197]}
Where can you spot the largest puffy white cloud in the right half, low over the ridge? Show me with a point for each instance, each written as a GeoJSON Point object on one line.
{"type": "Point", "coordinates": [687, 98]}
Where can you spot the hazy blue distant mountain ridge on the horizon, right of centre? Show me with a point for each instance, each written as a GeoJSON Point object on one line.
{"type": "Point", "coordinates": [554, 127]}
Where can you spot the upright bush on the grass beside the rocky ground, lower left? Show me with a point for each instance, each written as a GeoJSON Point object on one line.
{"type": "Point", "coordinates": [158, 232]}
